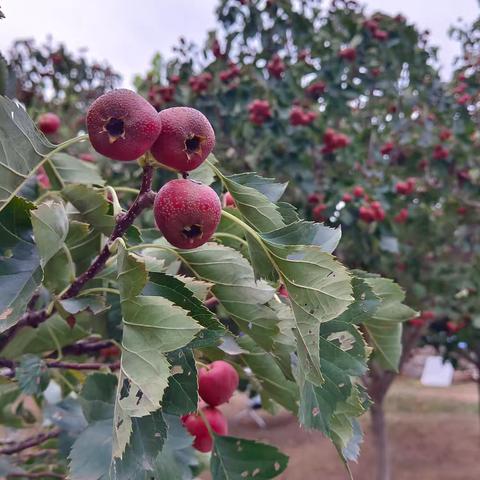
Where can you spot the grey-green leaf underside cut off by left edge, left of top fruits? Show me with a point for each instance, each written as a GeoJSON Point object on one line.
{"type": "Point", "coordinates": [22, 151]}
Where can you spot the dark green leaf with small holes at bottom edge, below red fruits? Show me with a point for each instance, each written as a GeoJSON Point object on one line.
{"type": "Point", "coordinates": [237, 459]}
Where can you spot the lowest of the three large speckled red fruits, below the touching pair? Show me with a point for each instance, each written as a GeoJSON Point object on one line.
{"type": "Point", "coordinates": [187, 212]}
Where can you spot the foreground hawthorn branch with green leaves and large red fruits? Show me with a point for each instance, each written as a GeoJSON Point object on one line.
{"type": "Point", "coordinates": [104, 323]}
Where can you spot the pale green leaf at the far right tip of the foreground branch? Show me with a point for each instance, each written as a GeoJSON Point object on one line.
{"type": "Point", "coordinates": [384, 326]}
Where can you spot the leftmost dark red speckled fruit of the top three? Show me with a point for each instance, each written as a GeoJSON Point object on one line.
{"type": "Point", "coordinates": [122, 125]}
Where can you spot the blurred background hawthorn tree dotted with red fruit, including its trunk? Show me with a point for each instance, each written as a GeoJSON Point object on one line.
{"type": "Point", "coordinates": [351, 108]}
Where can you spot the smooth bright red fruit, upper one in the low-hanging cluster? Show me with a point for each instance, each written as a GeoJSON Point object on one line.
{"type": "Point", "coordinates": [217, 382]}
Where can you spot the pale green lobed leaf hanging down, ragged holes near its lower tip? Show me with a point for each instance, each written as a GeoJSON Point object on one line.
{"type": "Point", "coordinates": [152, 327]}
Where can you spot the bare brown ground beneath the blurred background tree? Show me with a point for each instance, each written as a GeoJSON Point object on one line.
{"type": "Point", "coordinates": [434, 435]}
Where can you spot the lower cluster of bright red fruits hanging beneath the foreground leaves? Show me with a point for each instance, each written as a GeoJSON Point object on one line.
{"type": "Point", "coordinates": [216, 384]}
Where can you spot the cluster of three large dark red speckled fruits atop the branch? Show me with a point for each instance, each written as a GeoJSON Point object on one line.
{"type": "Point", "coordinates": [124, 126]}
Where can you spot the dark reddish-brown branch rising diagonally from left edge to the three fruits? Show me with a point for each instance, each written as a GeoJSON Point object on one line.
{"type": "Point", "coordinates": [124, 221]}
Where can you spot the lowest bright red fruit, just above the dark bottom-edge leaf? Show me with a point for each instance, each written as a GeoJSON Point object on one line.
{"type": "Point", "coordinates": [196, 427]}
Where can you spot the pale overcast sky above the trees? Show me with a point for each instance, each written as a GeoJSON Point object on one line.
{"type": "Point", "coordinates": [128, 33]}
